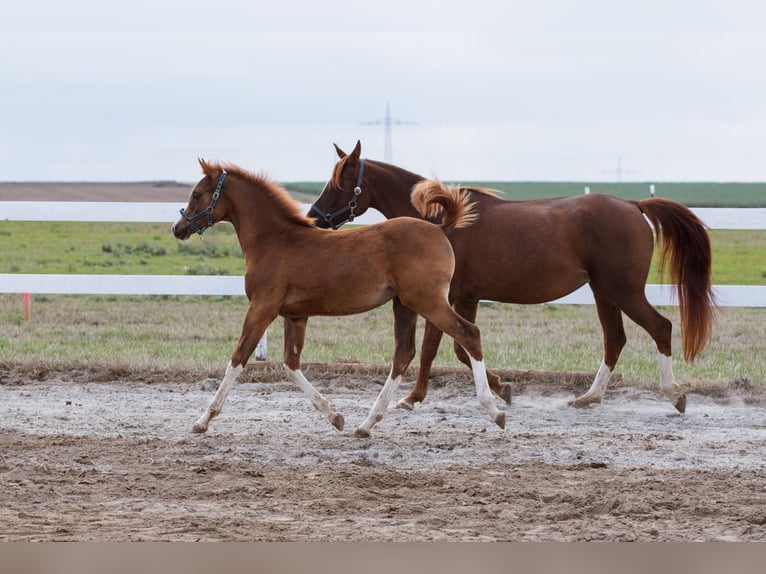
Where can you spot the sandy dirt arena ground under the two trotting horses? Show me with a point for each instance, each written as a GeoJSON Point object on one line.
{"type": "Point", "coordinates": [83, 458]}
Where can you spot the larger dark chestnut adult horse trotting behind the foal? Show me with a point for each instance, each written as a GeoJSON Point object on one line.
{"type": "Point", "coordinates": [531, 252]}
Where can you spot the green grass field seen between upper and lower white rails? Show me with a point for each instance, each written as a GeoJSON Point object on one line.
{"type": "Point", "coordinates": [739, 257]}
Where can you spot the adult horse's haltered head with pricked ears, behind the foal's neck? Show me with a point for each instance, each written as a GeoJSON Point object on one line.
{"type": "Point", "coordinates": [343, 197]}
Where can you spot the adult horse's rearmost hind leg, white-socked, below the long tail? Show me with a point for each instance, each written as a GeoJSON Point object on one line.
{"type": "Point", "coordinates": [660, 328]}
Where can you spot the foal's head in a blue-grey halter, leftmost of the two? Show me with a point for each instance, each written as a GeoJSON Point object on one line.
{"type": "Point", "coordinates": [203, 210]}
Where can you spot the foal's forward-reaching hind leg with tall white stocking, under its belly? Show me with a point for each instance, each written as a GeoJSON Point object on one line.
{"type": "Point", "coordinates": [405, 322]}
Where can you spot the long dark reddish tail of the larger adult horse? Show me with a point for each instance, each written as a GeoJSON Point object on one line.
{"type": "Point", "coordinates": [684, 238]}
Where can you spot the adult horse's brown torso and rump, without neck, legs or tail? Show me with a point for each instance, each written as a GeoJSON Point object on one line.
{"type": "Point", "coordinates": [547, 248]}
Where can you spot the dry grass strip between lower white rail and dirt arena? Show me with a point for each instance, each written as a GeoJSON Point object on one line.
{"type": "Point", "coordinates": [199, 334]}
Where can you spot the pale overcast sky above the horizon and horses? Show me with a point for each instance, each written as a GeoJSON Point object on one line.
{"type": "Point", "coordinates": [588, 90]}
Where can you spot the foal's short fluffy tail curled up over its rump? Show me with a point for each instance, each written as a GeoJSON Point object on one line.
{"type": "Point", "coordinates": [434, 200]}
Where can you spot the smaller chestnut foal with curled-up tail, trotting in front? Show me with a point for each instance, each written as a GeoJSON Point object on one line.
{"type": "Point", "coordinates": [295, 269]}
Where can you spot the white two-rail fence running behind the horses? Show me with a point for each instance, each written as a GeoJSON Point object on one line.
{"type": "Point", "coordinates": [724, 218]}
